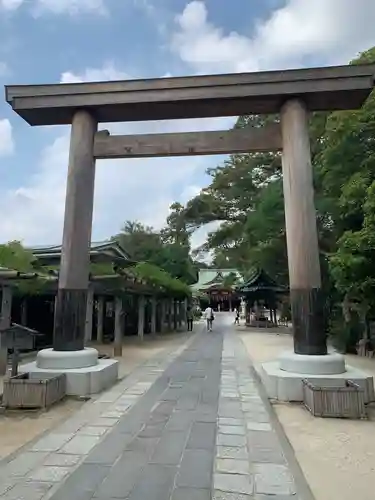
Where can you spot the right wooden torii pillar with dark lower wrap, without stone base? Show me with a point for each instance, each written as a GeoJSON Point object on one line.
{"type": "Point", "coordinates": [301, 232]}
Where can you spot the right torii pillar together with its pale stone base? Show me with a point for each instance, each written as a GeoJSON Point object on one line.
{"type": "Point", "coordinates": [310, 360]}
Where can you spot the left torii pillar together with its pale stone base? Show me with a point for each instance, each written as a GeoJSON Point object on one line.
{"type": "Point", "coordinates": [86, 374]}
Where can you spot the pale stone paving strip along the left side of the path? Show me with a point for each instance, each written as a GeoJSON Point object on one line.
{"type": "Point", "coordinates": [79, 452]}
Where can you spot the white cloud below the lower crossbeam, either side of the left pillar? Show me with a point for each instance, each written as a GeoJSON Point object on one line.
{"type": "Point", "coordinates": [124, 189]}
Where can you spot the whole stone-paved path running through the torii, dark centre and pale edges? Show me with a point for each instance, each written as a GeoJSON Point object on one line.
{"type": "Point", "coordinates": [188, 425]}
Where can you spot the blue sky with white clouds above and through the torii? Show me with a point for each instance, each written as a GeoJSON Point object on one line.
{"type": "Point", "coordinates": [51, 41]}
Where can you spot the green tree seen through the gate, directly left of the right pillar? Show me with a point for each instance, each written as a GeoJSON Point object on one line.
{"type": "Point", "coordinates": [245, 195]}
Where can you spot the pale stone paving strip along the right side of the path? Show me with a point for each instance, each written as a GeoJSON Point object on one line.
{"type": "Point", "coordinates": [250, 463]}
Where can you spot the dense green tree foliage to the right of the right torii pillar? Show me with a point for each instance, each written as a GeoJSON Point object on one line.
{"type": "Point", "coordinates": [345, 173]}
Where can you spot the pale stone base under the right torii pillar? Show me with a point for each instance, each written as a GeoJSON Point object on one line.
{"type": "Point", "coordinates": [283, 378]}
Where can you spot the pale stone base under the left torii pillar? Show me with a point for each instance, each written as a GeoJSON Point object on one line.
{"type": "Point", "coordinates": [85, 373]}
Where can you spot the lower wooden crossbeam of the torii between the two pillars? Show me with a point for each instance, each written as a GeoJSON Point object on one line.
{"type": "Point", "coordinates": [267, 138]}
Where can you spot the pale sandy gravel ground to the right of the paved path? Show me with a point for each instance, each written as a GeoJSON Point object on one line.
{"type": "Point", "coordinates": [336, 456]}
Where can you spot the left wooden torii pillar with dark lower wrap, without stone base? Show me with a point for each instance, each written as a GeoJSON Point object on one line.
{"type": "Point", "coordinates": [70, 312]}
